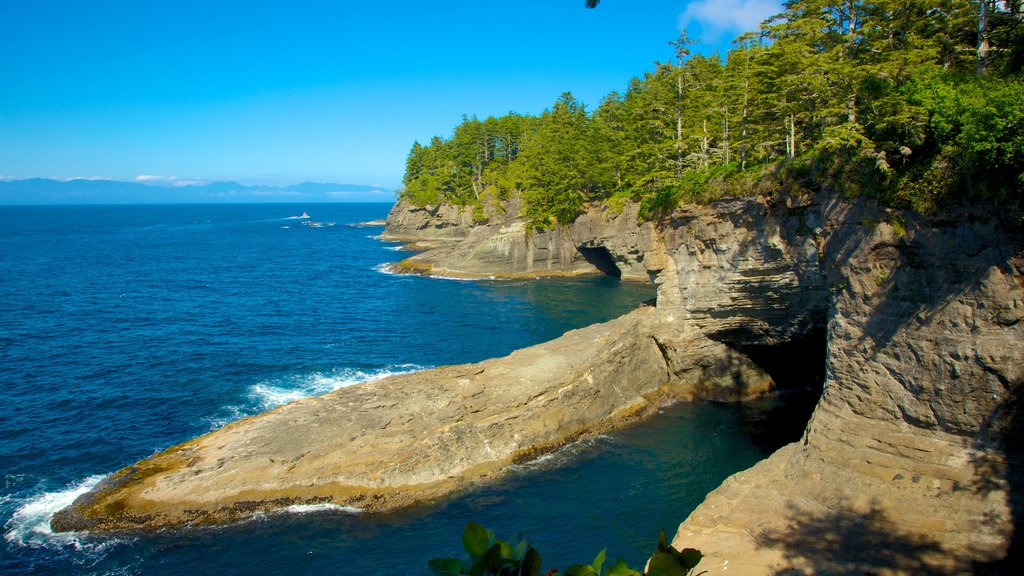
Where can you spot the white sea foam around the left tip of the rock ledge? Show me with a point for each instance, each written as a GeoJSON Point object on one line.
{"type": "Point", "coordinates": [30, 524]}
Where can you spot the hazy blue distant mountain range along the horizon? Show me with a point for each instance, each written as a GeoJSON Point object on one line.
{"type": "Point", "coordinates": [46, 191]}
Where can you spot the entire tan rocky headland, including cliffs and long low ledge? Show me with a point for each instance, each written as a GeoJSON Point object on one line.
{"type": "Point", "coordinates": [911, 463]}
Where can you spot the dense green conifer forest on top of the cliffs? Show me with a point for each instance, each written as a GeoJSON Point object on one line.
{"type": "Point", "coordinates": [919, 104]}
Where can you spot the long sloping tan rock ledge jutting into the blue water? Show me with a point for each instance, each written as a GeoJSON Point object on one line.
{"type": "Point", "coordinates": [410, 439]}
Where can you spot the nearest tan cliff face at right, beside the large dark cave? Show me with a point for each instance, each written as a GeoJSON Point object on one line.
{"type": "Point", "coordinates": [912, 462]}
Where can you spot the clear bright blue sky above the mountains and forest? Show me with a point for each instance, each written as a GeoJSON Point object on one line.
{"type": "Point", "coordinates": [284, 92]}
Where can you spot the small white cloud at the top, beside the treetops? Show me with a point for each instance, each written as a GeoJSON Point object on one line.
{"type": "Point", "coordinates": [718, 20]}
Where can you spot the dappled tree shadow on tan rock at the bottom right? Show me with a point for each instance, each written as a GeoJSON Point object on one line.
{"type": "Point", "coordinates": [846, 543]}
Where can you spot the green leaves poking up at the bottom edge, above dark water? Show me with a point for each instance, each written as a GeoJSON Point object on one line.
{"type": "Point", "coordinates": [489, 556]}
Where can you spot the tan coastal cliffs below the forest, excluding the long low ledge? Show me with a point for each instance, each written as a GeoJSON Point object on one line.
{"type": "Point", "coordinates": [912, 463]}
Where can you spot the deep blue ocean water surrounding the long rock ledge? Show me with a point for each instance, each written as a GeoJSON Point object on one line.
{"type": "Point", "coordinates": [127, 330]}
